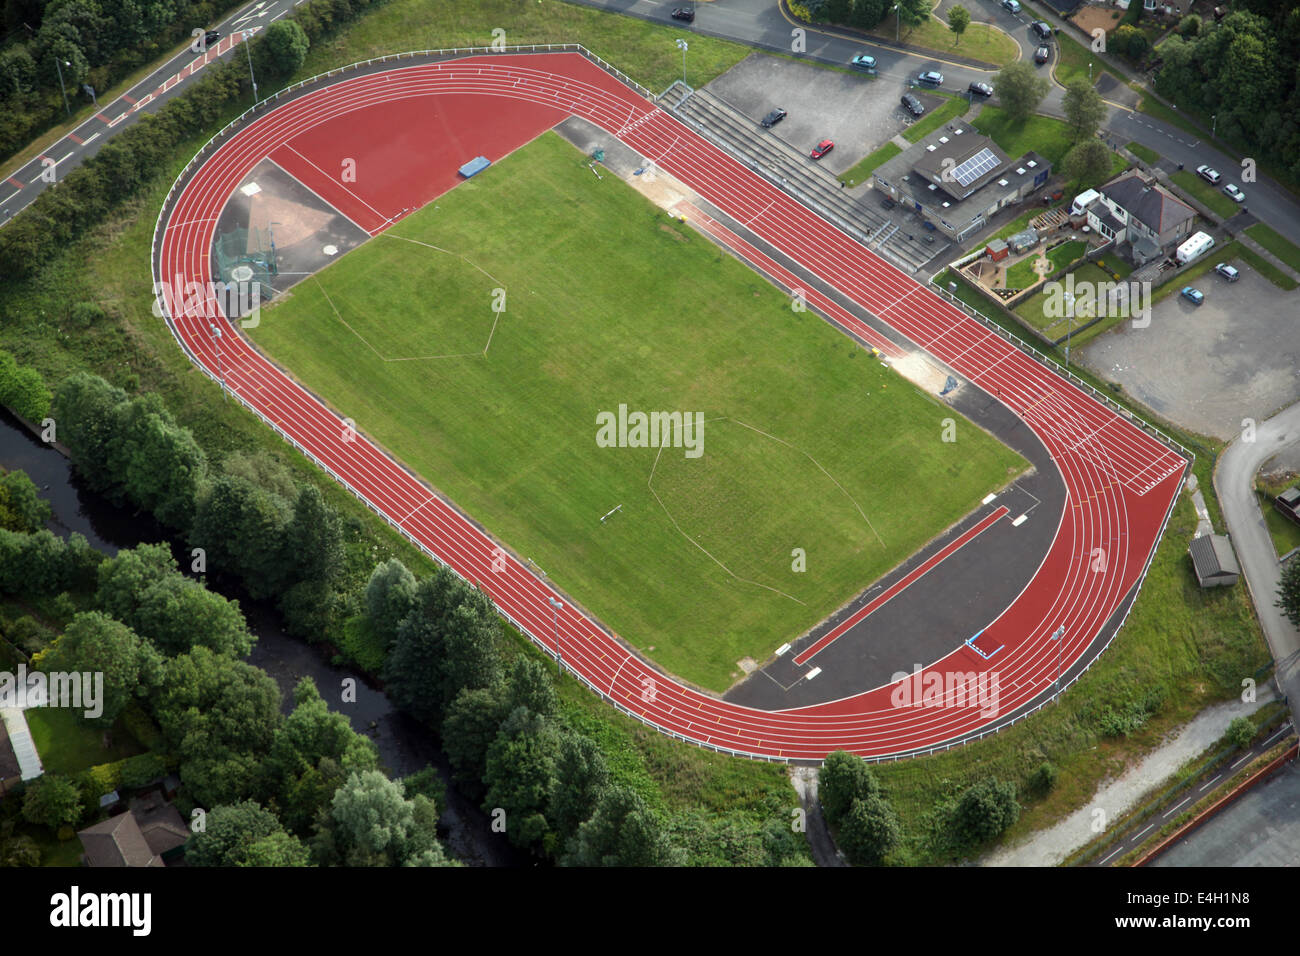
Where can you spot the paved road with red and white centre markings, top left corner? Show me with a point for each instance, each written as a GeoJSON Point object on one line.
{"type": "Point", "coordinates": [20, 189]}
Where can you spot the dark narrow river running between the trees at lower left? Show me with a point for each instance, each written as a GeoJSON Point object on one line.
{"type": "Point", "coordinates": [404, 746]}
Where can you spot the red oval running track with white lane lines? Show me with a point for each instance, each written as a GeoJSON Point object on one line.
{"type": "Point", "coordinates": [1120, 482]}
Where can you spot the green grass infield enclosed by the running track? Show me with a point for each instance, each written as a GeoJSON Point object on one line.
{"type": "Point", "coordinates": [610, 302]}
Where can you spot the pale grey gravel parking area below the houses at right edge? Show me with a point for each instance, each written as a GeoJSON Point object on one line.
{"type": "Point", "coordinates": [1208, 367]}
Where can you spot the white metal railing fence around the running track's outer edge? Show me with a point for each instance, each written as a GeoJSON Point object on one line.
{"type": "Point", "coordinates": [541, 642]}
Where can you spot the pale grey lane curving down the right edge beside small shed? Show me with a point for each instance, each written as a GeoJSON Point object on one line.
{"type": "Point", "coordinates": [1234, 477]}
